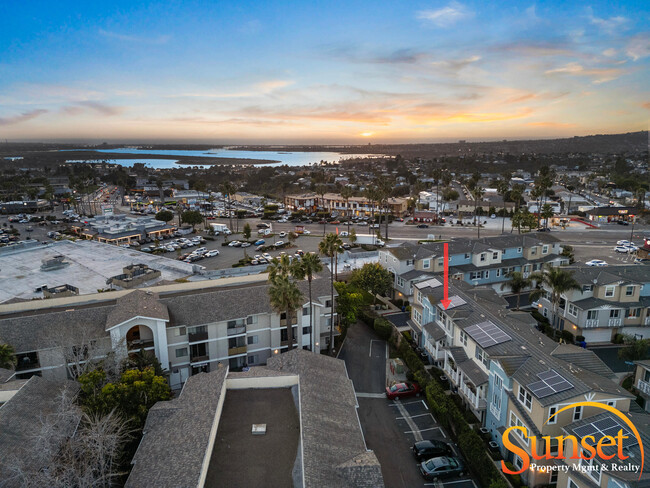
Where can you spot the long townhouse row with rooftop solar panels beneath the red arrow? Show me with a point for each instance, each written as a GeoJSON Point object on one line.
{"type": "Point", "coordinates": [509, 374]}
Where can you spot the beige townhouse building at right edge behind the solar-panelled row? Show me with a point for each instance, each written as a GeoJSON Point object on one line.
{"type": "Point", "coordinates": [612, 300]}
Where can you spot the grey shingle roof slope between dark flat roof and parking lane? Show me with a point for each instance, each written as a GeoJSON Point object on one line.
{"type": "Point", "coordinates": [331, 433]}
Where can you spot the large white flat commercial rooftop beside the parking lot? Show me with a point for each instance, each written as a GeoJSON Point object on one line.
{"type": "Point", "coordinates": [91, 264]}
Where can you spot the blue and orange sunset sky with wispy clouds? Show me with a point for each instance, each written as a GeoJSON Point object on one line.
{"type": "Point", "coordinates": [339, 72]}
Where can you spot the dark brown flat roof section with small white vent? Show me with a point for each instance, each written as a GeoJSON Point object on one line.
{"type": "Point", "coordinates": [240, 458]}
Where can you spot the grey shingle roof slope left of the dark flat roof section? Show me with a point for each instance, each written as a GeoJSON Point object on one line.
{"type": "Point", "coordinates": [177, 433]}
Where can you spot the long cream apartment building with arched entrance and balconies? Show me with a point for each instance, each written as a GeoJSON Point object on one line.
{"type": "Point", "coordinates": [190, 329]}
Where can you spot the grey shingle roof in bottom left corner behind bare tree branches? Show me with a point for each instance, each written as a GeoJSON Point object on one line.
{"type": "Point", "coordinates": [21, 421]}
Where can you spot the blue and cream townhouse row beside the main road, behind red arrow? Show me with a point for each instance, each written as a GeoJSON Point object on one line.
{"type": "Point", "coordinates": [485, 261]}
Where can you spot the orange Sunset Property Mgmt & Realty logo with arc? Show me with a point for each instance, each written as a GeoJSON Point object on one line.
{"type": "Point", "coordinates": [588, 448]}
